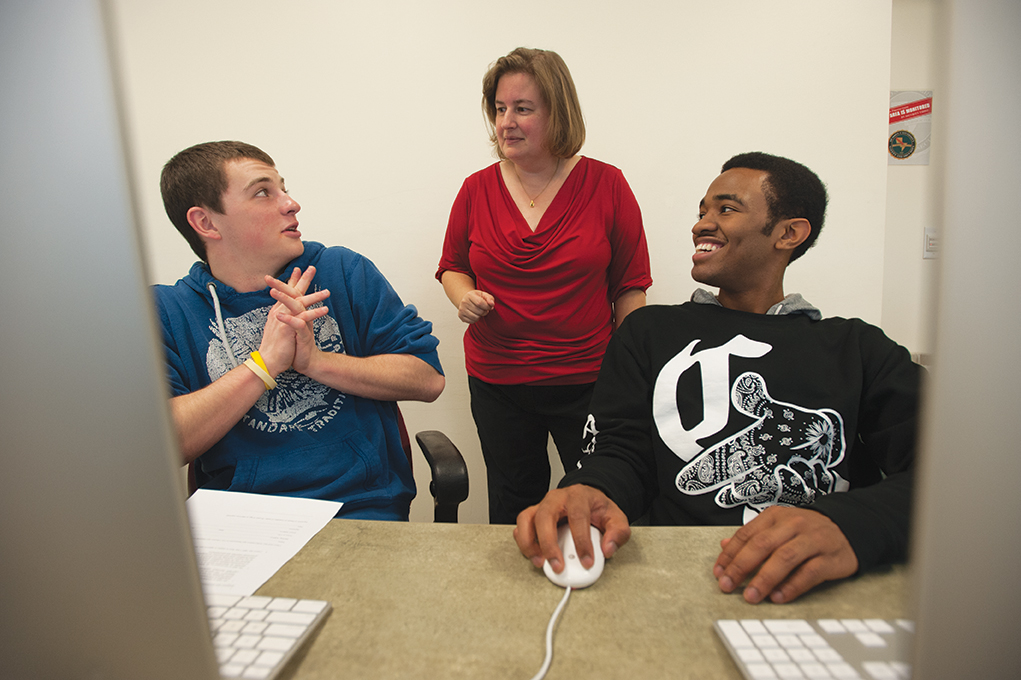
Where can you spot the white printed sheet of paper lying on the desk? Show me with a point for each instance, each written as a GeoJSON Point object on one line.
{"type": "Point", "coordinates": [242, 540]}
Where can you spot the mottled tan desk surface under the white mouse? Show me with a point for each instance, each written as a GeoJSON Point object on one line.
{"type": "Point", "coordinates": [429, 601]}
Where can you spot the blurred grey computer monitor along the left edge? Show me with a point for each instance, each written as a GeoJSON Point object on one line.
{"type": "Point", "coordinates": [99, 577]}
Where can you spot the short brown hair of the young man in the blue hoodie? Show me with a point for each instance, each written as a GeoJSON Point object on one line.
{"type": "Point", "coordinates": [198, 177]}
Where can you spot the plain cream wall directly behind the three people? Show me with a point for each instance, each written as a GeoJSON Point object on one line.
{"type": "Point", "coordinates": [372, 113]}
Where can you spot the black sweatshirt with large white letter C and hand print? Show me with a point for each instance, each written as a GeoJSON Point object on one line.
{"type": "Point", "coordinates": [706, 416]}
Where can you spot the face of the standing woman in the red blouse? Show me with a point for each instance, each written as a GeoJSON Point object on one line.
{"type": "Point", "coordinates": [522, 116]}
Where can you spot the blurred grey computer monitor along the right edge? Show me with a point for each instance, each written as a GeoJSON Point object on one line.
{"type": "Point", "coordinates": [967, 539]}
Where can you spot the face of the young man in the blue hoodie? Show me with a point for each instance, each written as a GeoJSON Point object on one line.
{"type": "Point", "coordinates": [259, 228]}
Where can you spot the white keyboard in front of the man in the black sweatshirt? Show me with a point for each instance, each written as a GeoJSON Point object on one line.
{"type": "Point", "coordinates": [842, 649]}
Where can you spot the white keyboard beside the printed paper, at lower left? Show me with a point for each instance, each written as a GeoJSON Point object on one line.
{"type": "Point", "coordinates": [256, 637]}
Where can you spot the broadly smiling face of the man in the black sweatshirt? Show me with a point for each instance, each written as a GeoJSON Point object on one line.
{"type": "Point", "coordinates": [736, 237]}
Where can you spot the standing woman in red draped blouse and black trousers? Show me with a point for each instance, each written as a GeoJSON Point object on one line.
{"type": "Point", "coordinates": [545, 256]}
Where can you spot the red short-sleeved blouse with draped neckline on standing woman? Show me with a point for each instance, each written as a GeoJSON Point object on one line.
{"type": "Point", "coordinates": [554, 287]}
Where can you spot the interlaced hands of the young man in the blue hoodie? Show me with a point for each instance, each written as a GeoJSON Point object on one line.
{"type": "Point", "coordinates": [289, 339]}
